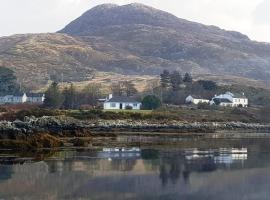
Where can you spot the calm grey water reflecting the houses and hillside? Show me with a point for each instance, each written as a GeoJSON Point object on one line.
{"type": "Point", "coordinates": [217, 169]}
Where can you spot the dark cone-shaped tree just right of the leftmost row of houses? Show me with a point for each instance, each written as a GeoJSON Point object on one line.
{"type": "Point", "coordinates": [53, 96]}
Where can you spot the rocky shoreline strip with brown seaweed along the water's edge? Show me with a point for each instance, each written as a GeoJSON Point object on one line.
{"type": "Point", "coordinates": [46, 131]}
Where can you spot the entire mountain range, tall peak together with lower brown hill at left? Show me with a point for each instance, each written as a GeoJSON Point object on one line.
{"type": "Point", "coordinates": [132, 39]}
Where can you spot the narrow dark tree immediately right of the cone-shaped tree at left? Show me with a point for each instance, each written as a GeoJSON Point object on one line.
{"type": "Point", "coordinates": [70, 96]}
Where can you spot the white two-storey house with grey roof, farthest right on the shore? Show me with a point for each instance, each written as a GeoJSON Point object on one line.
{"type": "Point", "coordinates": [230, 99]}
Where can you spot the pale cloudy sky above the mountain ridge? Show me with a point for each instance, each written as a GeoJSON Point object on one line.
{"type": "Point", "coordinates": [251, 17]}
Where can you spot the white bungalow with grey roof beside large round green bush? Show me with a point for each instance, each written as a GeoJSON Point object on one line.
{"type": "Point", "coordinates": [121, 103]}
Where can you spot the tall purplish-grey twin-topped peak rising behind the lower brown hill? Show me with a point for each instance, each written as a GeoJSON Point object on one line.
{"type": "Point", "coordinates": [162, 40]}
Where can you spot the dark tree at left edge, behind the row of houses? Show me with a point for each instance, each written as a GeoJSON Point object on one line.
{"type": "Point", "coordinates": [8, 81]}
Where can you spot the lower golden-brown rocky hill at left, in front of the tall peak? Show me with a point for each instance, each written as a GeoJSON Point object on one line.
{"type": "Point", "coordinates": [37, 58]}
